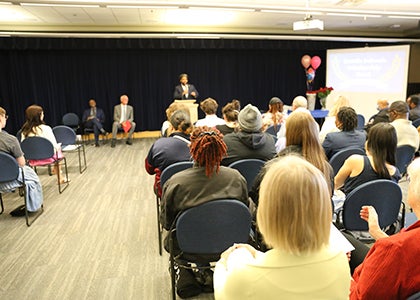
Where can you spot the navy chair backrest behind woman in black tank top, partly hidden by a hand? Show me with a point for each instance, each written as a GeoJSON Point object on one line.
{"type": "Point", "coordinates": [384, 195]}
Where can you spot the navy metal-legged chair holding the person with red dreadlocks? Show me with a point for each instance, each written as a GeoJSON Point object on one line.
{"type": "Point", "coordinates": [205, 231]}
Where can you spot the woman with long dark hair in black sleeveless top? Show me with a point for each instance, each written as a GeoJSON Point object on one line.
{"type": "Point", "coordinates": [378, 163]}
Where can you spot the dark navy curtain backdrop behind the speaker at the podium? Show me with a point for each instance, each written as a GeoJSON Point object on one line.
{"type": "Point", "coordinates": [62, 74]}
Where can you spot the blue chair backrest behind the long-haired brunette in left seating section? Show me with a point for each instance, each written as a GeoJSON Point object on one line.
{"type": "Point", "coordinates": [36, 148]}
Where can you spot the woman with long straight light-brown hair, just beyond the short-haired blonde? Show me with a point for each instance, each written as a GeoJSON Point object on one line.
{"type": "Point", "coordinates": [301, 139]}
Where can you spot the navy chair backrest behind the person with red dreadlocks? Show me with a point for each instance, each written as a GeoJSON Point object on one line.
{"type": "Point", "coordinates": [212, 227]}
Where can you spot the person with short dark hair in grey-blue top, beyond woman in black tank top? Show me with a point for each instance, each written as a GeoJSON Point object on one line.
{"type": "Point", "coordinates": [347, 137]}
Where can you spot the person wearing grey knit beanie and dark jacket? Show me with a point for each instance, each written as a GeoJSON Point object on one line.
{"type": "Point", "coordinates": [249, 141]}
